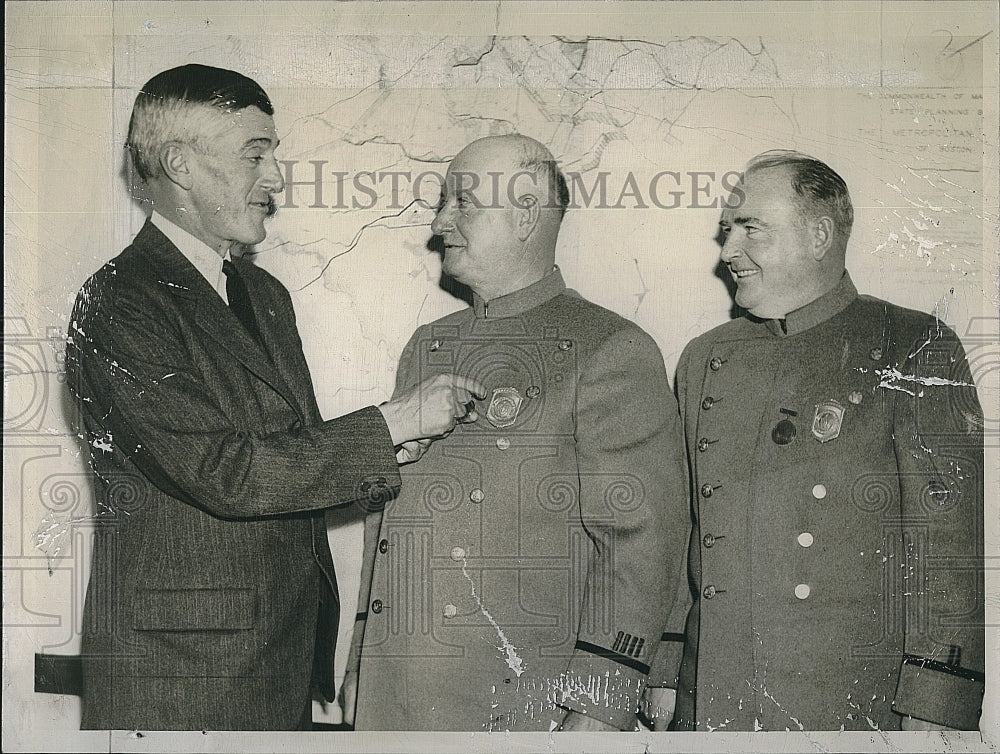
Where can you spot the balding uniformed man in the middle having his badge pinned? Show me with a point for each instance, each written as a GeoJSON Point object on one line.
{"type": "Point", "coordinates": [523, 576]}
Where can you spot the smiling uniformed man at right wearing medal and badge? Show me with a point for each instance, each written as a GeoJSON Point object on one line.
{"type": "Point", "coordinates": [835, 448]}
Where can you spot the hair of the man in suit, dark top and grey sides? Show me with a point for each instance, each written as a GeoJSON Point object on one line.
{"type": "Point", "coordinates": [166, 108]}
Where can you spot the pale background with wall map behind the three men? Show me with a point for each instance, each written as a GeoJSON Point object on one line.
{"type": "Point", "coordinates": [900, 98]}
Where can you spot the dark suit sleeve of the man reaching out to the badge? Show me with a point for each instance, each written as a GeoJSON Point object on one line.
{"type": "Point", "coordinates": [137, 380]}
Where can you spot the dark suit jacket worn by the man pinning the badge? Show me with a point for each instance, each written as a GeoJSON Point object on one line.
{"type": "Point", "coordinates": [212, 600]}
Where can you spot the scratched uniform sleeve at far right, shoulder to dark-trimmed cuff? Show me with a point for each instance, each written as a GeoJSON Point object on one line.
{"type": "Point", "coordinates": [938, 435]}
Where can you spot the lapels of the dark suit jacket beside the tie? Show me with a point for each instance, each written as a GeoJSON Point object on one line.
{"type": "Point", "coordinates": [210, 312]}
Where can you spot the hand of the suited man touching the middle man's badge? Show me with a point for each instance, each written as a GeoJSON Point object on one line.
{"type": "Point", "coordinates": [431, 408]}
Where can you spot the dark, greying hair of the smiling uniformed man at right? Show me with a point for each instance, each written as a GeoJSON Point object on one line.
{"type": "Point", "coordinates": [819, 187]}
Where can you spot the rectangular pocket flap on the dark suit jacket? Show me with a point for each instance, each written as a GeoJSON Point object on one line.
{"type": "Point", "coordinates": [195, 610]}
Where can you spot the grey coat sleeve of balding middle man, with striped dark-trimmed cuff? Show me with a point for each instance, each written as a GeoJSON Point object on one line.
{"type": "Point", "coordinates": [633, 505]}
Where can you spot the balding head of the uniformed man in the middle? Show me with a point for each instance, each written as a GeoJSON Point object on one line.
{"type": "Point", "coordinates": [501, 207]}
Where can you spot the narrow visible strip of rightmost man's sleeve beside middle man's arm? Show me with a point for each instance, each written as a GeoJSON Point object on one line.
{"type": "Point", "coordinates": [665, 666]}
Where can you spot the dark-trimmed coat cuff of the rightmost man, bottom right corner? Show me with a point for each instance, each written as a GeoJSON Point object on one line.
{"type": "Point", "coordinates": [940, 693]}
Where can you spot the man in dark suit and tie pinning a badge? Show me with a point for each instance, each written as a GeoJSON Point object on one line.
{"type": "Point", "coordinates": [212, 600]}
